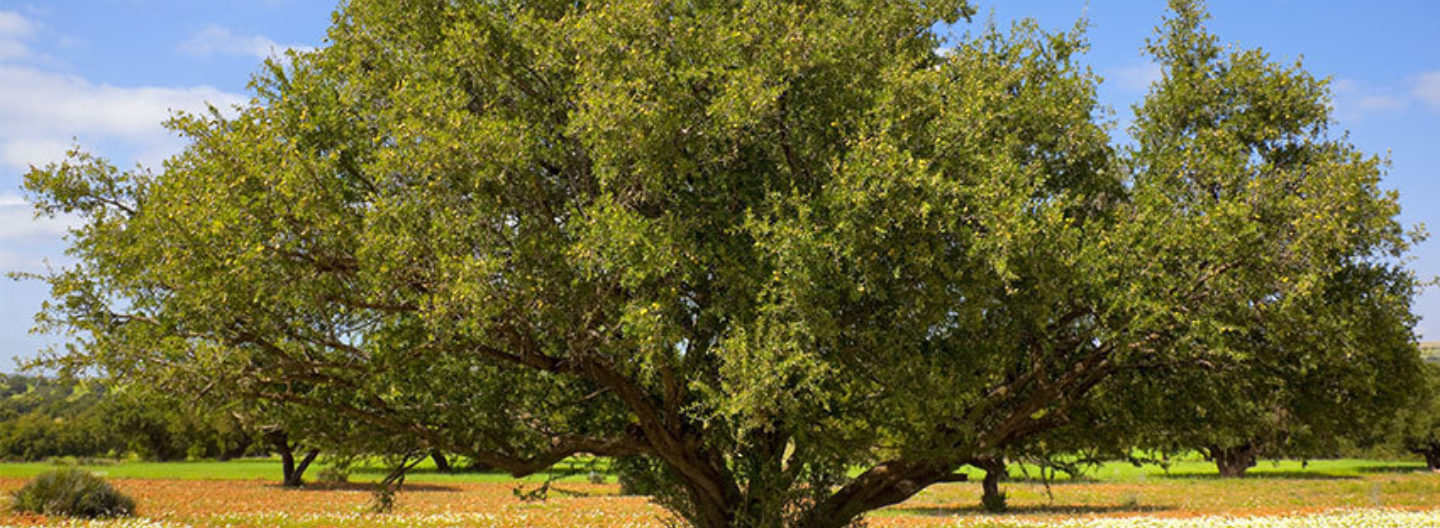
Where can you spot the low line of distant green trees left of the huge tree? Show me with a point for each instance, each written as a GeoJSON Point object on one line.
{"type": "Point", "coordinates": [51, 418]}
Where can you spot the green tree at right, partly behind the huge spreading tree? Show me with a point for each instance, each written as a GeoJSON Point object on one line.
{"type": "Point", "coordinates": [1285, 358]}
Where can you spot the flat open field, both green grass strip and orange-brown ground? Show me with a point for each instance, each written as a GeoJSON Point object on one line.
{"type": "Point", "coordinates": [244, 494]}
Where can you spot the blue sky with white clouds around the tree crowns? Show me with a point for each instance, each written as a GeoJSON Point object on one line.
{"type": "Point", "coordinates": [107, 73]}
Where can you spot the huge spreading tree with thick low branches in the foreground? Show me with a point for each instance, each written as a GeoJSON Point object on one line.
{"type": "Point", "coordinates": [755, 245]}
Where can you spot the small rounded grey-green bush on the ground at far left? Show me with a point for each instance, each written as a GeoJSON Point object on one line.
{"type": "Point", "coordinates": [73, 493]}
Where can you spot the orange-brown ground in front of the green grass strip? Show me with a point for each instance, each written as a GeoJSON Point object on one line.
{"type": "Point", "coordinates": [256, 503]}
